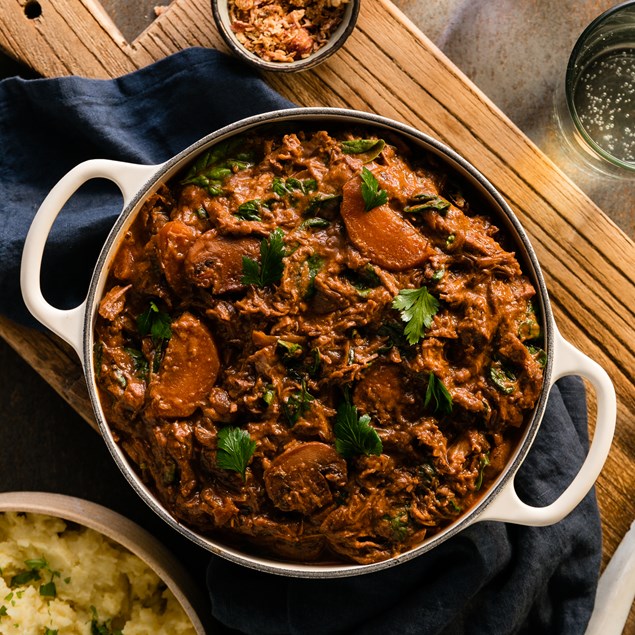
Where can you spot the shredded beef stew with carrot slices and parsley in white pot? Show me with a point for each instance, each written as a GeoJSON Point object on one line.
{"type": "Point", "coordinates": [256, 366]}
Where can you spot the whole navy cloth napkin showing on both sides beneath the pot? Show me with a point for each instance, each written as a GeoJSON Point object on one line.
{"type": "Point", "coordinates": [492, 578]}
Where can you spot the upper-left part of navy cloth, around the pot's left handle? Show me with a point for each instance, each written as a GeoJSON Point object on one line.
{"type": "Point", "coordinates": [47, 126]}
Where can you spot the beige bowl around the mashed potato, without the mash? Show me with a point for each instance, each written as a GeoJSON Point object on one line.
{"type": "Point", "coordinates": [122, 531]}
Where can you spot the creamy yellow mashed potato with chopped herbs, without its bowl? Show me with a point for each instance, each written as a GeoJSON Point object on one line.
{"type": "Point", "coordinates": [57, 578]}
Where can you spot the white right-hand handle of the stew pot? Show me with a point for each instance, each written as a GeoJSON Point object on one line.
{"type": "Point", "coordinates": [507, 506]}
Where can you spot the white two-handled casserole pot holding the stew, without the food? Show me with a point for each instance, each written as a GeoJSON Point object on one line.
{"type": "Point", "coordinates": [500, 502]}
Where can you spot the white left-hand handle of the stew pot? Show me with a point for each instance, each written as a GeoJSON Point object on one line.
{"type": "Point", "coordinates": [68, 323]}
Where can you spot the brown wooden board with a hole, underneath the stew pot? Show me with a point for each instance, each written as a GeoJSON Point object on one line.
{"type": "Point", "coordinates": [387, 67]}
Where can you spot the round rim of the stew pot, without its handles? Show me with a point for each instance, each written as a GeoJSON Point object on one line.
{"type": "Point", "coordinates": [500, 208]}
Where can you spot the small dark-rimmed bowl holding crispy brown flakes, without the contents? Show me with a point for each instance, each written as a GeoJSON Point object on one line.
{"type": "Point", "coordinates": [220, 10]}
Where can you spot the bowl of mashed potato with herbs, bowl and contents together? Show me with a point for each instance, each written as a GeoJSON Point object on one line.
{"type": "Point", "coordinates": [72, 567]}
